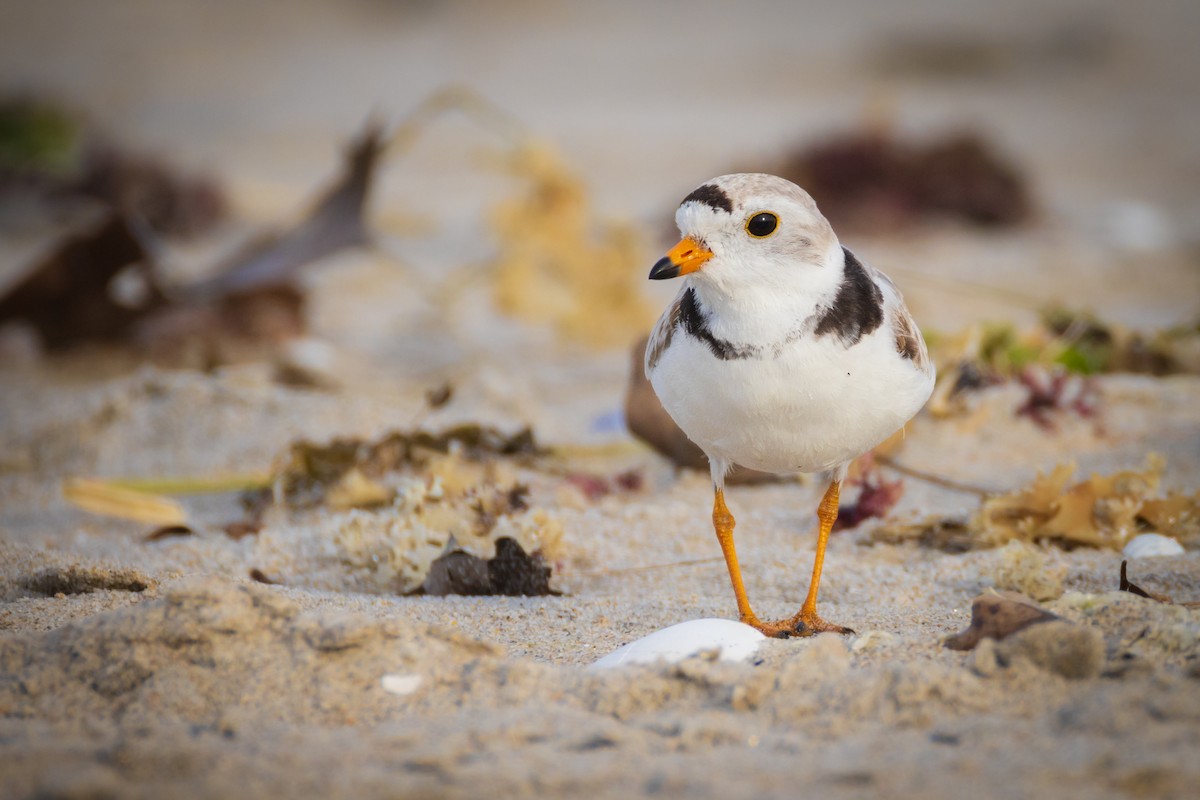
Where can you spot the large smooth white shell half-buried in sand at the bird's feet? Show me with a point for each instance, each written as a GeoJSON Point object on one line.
{"type": "Point", "coordinates": [735, 641]}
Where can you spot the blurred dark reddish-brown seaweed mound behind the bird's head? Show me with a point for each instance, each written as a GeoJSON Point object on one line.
{"type": "Point", "coordinates": [871, 181]}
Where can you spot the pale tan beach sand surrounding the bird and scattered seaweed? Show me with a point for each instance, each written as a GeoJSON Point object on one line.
{"type": "Point", "coordinates": [161, 669]}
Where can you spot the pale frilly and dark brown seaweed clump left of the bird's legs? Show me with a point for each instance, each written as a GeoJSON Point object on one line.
{"type": "Point", "coordinates": [425, 512]}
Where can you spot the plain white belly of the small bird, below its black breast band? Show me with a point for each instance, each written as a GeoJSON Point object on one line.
{"type": "Point", "coordinates": [812, 410]}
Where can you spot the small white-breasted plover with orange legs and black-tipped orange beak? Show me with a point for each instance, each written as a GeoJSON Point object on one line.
{"type": "Point", "coordinates": [782, 352]}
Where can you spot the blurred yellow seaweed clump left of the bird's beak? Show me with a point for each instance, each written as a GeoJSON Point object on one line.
{"type": "Point", "coordinates": [556, 264]}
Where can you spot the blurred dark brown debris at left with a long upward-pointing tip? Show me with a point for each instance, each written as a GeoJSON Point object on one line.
{"type": "Point", "coordinates": [103, 282]}
